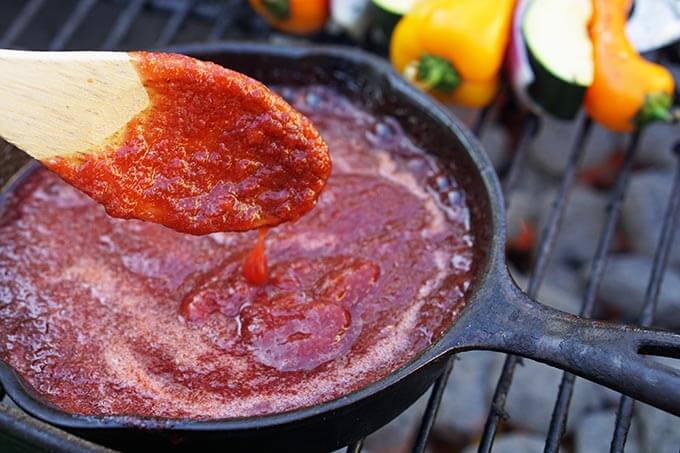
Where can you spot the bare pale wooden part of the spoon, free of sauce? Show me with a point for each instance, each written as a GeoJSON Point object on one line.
{"type": "Point", "coordinates": [62, 103]}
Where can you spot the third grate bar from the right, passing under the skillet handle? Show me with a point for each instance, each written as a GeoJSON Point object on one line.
{"type": "Point", "coordinates": [544, 251]}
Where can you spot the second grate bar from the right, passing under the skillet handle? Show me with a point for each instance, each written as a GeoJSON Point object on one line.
{"type": "Point", "coordinates": [560, 413]}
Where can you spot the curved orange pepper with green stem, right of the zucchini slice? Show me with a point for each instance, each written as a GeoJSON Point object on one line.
{"type": "Point", "coordinates": [627, 90]}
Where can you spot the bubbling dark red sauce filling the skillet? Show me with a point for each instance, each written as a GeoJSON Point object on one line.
{"type": "Point", "coordinates": [103, 316]}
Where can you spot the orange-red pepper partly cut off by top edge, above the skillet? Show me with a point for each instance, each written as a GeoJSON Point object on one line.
{"type": "Point", "coordinates": [300, 17]}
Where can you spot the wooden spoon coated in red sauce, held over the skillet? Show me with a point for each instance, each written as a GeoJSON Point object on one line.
{"type": "Point", "coordinates": [164, 137]}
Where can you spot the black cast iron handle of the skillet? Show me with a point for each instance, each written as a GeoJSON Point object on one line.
{"type": "Point", "coordinates": [606, 353]}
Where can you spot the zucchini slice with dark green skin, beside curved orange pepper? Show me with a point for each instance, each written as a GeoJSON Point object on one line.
{"type": "Point", "coordinates": [560, 54]}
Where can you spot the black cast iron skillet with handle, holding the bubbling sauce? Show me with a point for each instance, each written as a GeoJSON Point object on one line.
{"type": "Point", "coordinates": [498, 315]}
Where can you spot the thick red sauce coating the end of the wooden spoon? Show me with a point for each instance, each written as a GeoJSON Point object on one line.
{"type": "Point", "coordinates": [214, 151]}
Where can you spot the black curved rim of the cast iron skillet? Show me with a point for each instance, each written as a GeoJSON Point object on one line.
{"type": "Point", "coordinates": [24, 396]}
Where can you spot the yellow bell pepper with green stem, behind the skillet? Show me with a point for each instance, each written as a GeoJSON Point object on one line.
{"type": "Point", "coordinates": [453, 48]}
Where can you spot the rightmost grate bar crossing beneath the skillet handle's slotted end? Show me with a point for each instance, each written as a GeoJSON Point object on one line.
{"type": "Point", "coordinates": [661, 255]}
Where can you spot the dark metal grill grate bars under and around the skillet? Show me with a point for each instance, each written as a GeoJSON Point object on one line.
{"type": "Point", "coordinates": [231, 18]}
